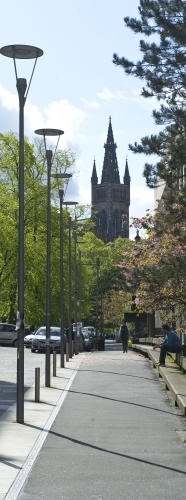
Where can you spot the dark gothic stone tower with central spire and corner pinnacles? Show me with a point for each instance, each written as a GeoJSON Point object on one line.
{"type": "Point", "coordinates": [110, 198]}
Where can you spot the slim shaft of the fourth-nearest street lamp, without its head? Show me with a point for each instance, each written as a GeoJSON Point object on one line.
{"type": "Point", "coordinates": [69, 290]}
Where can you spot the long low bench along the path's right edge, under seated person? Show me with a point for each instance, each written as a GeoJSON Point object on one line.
{"type": "Point", "coordinates": [172, 375]}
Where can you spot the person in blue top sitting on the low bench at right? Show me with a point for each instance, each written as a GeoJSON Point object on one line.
{"type": "Point", "coordinates": [171, 343]}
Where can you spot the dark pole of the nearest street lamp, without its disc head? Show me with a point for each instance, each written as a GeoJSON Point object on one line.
{"type": "Point", "coordinates": [21, 88]}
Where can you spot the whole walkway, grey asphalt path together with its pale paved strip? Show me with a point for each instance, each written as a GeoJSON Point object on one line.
{"type": "Point", "coordinates": [114, 436]}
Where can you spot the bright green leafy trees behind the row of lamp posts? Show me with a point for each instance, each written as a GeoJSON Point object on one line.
{"type": "Point", "coordinates": [97, 272]}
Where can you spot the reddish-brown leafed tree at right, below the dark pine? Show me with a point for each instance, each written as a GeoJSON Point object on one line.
{"type": "Point", "coordinates": [154, 268]}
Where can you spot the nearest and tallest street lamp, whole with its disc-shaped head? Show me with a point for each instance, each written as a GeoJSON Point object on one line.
{"type": "Point", "coordinates": [21, 52]}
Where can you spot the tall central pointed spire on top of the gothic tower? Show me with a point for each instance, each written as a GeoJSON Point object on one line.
{"type": "Point", "coordinates": [110, 172]}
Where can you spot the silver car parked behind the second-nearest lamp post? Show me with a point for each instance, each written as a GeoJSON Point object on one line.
{"type": "Point", "coordinates": [39, 339]}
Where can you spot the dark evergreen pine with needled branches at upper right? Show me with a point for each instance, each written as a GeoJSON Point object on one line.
{"type": "Point", "coordinates": [163, 67]}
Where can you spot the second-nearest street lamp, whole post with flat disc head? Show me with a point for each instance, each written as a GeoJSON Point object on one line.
{"type": "Point", "coordinates": [45, 132]}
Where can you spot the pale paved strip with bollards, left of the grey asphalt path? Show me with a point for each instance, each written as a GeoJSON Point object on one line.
{"type": "Point", "coordinates": [17, 440]}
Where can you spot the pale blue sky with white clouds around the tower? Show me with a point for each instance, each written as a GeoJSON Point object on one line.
{"type": "Point", "coordinates": [76, 87]}
